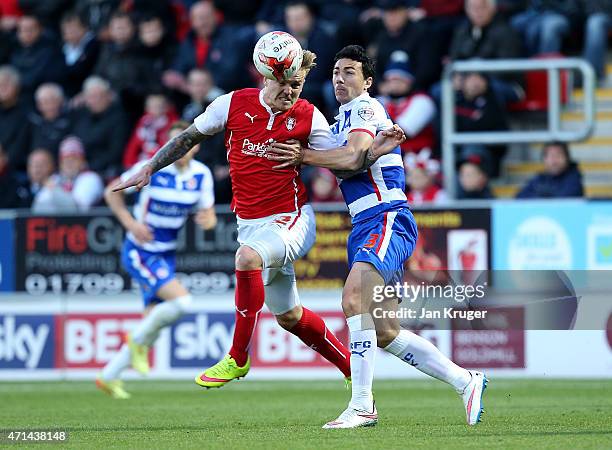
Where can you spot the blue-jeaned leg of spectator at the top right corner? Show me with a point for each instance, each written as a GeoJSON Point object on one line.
{"type": "Point", "coordinates": [599, 22]}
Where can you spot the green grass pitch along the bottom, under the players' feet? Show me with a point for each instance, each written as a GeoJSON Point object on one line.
{"type": "Point", "coordinates": [522, 414]}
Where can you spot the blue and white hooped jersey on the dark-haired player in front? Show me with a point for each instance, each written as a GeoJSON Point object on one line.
{"type": "Point", "coordinates": [381, 187]}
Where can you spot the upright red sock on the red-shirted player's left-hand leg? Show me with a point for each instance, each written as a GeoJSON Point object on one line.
{"type": "Point", "coordinates": [249, 301]}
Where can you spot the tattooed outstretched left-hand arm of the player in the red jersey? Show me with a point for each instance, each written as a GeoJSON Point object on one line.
{"type": "Point", "coordinates": [171, 151]}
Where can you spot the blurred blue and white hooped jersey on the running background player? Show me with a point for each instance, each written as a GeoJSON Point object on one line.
{"type": "Point", "coordinates": [165, 203]}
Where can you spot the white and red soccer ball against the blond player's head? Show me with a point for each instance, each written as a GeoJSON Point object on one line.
{"type": "Point", "coordinates": [277, 55]}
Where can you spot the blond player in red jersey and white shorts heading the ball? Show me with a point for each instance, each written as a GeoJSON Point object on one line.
{"type": "Point", "coordinates": [275, 225]}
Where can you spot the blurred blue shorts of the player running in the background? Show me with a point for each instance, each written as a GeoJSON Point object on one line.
{"type": "Point", "coordinates": [151, 270]}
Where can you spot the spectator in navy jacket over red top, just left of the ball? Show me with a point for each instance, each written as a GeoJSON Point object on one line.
{"type": "Point", "coordinates": [208, 45]}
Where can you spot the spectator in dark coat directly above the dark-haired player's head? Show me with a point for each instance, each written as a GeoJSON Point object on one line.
{"type": "Point", "coordinates": [399, 33]}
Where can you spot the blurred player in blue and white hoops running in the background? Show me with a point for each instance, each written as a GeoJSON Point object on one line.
{"type": "Point", "coordinates": [148, 253]}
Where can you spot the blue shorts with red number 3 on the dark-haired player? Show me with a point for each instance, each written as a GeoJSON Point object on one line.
{"type": "Point", "coordinates": [386, 241]}
